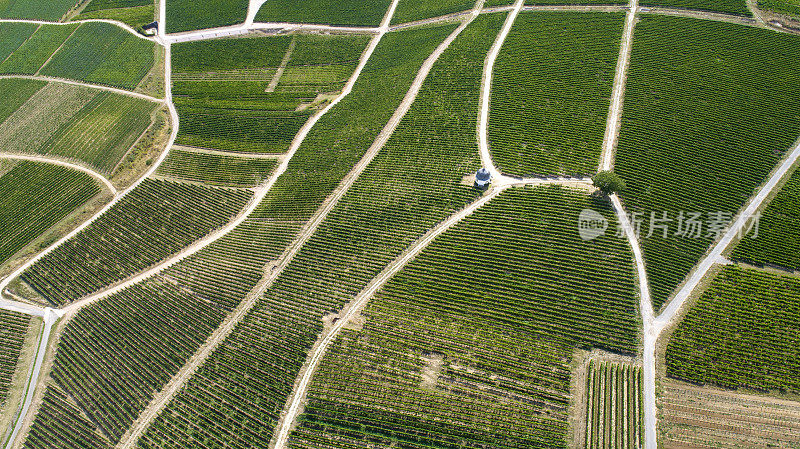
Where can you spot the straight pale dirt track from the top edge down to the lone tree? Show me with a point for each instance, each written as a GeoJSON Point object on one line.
{"type": "Point", "coordinates": [614, 119]}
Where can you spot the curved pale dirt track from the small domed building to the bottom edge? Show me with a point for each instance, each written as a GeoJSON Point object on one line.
{"type": "Point", "coordinates": [354, 308]}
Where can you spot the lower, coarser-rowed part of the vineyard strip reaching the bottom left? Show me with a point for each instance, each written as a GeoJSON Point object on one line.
{"type": "Point", "coordinates": [210, 283]}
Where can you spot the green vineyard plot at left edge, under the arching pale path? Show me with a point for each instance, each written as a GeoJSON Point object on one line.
{"type": "Point", "coordinates": [36, 196]}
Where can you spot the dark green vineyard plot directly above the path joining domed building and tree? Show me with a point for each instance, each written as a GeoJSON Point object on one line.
{"type": "Point", "coordinates": [550, 93]}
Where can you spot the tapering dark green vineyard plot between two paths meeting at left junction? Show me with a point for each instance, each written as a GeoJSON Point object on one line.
{"type": "Point", "coordinates": [156, 220]}
